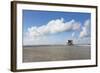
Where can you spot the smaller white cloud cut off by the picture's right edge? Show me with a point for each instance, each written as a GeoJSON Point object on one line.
{"type": "Point", "coordinates": [85, 29]}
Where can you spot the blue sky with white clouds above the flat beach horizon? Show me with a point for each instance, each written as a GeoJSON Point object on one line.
{"type": "Point", "coordinates": [55, 27]}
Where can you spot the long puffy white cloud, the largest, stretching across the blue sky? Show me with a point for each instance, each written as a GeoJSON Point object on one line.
{"type": "Point", "coordinates": [52, 27]}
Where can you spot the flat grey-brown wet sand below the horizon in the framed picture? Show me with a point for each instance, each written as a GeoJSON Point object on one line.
{"type": "Point", "coordinates": [55, 53]}
